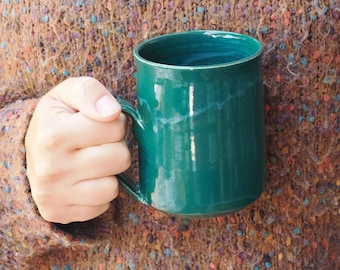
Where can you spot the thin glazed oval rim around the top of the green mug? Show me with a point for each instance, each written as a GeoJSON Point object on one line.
{"type": "Point", "coordinates": [227, 34]}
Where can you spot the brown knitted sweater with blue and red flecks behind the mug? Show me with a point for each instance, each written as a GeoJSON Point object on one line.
{"type": "Point", "coordinates": [293, 225]}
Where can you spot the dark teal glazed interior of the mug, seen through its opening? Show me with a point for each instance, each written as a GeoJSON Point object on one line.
{"type": "Point", "coordinates": [199, 49]}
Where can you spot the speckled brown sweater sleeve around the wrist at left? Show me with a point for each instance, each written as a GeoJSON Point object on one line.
{"type": "Point", "coordinates": [23, 233]}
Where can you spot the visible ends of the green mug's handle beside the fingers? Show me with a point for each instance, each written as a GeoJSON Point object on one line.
{"type": "Point", "coordinates": [130, 186]}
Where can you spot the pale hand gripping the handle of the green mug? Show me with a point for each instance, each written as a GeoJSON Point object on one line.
{"type": "Point", "coordinates": [74, 148]}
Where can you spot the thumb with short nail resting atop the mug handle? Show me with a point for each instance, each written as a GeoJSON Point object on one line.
{"type": "Point", "coordinates": [89, 97]}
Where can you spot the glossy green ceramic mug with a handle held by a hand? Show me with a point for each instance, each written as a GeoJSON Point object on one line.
{"type": "Point", "coordinates": [199, 123]}
